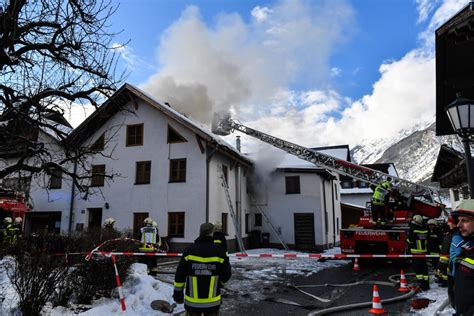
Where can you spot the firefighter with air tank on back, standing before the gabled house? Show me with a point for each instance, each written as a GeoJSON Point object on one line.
{"type": "Point", "coordinates": [150, 240]}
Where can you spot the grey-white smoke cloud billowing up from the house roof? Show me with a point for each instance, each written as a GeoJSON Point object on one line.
{"type": "Point", "coordinates": [220, 67]}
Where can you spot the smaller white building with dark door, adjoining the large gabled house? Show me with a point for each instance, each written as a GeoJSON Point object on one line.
{"type": "Point", "coordinates": [302, 202]}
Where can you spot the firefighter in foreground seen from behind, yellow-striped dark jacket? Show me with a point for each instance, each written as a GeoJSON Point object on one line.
{"type": "Point", "coordinates": [203, 269]}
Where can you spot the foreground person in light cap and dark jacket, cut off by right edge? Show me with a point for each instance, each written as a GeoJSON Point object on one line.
{"type": "Point", "coordinates": [464, 262]}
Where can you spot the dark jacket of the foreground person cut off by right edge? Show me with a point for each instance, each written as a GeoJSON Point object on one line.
{"type": "Point", "coordinates": [464, 280]}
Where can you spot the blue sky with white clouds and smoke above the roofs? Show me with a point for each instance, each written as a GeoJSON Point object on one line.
{"type": "Point", "coordinates": [317, 73]}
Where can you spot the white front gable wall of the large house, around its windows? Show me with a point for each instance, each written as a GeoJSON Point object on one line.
{"type": "Point", "coordinates": [159, 197]}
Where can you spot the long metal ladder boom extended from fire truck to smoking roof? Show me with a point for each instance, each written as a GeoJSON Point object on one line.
{"type": "Point", "coordinates": [224, 125]}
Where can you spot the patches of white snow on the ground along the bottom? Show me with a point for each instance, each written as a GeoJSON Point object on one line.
{"type": "Point", "coordinates": [249, 274]}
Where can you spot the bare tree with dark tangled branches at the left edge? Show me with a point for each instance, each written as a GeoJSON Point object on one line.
{"type": "Point", "coordinates": [53, 54]}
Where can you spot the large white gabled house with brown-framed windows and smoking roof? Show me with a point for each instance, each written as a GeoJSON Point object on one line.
{"type": "Point", "coordinates": [164, 166]}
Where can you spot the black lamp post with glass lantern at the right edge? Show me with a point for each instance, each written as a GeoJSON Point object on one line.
{"type": "Point", "coordinates": [461, 115]}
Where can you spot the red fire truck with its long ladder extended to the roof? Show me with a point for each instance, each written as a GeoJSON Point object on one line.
{"type": "Point", "coordinates": [366, 237]}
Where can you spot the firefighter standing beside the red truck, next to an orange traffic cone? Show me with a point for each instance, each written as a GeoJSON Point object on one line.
{"type": "Point", "coordinates": [417, 243]}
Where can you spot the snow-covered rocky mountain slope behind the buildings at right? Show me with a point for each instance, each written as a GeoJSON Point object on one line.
{"type": "Point", "coordinates": [414, 152]}
